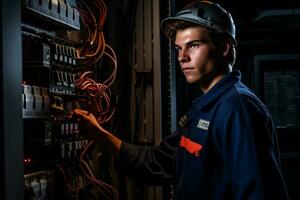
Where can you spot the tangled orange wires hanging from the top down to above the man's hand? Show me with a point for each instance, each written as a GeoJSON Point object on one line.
{"type": "Point", "coordinates": [92, 51]}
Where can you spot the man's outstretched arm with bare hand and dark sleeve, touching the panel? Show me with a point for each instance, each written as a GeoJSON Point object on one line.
{"type": "Point", "coordinates": [149, 164]}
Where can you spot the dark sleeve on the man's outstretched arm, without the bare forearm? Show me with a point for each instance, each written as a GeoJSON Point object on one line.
{"type": "Point", "coordinates": [150, 164]}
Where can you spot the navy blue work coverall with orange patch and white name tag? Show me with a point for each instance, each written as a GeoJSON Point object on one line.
{"type": "Point", "coordinates": [228, 150]}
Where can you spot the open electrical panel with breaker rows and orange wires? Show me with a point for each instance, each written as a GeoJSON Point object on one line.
{"type": "Point", "coordinates": [65, 63]}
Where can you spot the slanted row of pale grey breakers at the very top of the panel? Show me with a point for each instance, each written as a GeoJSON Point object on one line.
{"type": "Point", "coordinates": [60, 10]}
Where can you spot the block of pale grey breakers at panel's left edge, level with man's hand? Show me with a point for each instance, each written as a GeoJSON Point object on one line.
{"type": "Point", "coordinates": [35, 101]}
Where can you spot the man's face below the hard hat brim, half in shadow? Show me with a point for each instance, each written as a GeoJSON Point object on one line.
{"type": "Point", "coordinates": [195, 54]}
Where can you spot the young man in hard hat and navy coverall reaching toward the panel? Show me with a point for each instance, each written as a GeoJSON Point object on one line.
{"type": "Point", "coordinates": [227, 147]}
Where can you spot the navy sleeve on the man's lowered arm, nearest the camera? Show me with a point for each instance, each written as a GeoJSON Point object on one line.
{"type": "Point", "coordinates": [250, 155]}
